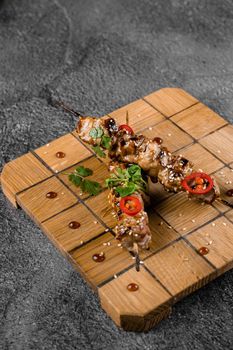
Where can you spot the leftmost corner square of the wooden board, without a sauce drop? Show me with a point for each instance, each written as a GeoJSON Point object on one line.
{"type": "Point", "coordinates": [22, 173]}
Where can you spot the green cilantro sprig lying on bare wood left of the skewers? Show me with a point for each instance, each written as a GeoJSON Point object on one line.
{"type": "Point", "coordinates": [78, 178]}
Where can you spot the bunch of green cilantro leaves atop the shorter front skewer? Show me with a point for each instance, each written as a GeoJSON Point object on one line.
{"type": "Point", "coordinates": [127, 181]}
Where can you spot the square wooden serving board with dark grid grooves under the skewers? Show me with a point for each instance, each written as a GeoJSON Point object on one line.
{"type": "Point", "coordinates": [173, 267]}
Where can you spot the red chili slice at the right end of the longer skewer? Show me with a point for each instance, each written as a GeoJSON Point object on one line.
{"type": "Point", "coordinates": [199, 180]}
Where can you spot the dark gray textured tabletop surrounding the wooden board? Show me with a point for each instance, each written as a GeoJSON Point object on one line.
{"type": "Point", "coordinates": [97, 56]}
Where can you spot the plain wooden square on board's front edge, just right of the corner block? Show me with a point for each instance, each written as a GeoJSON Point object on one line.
{"type": "Point", "coordinates": [180, 269]}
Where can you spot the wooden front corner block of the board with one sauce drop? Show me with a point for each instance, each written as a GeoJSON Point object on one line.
{"type": "Point", "coordinates": [133, 310]}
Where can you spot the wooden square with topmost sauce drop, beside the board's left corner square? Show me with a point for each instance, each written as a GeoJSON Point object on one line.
{"type": "Point", "coordinates": [73, 149]}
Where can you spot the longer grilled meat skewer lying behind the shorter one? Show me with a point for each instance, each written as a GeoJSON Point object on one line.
{"type": "Point", "coordinates": [155, 159]}
